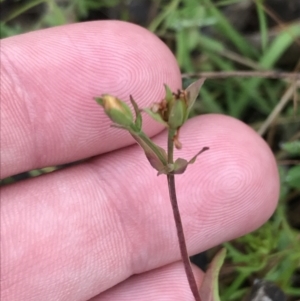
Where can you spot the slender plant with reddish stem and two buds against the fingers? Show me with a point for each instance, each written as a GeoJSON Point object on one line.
{"type": "Point", "coordinates": [172, 111]}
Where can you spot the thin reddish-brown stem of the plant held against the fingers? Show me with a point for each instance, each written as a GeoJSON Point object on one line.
{"type": "Point", "coordinates": [177, 218]}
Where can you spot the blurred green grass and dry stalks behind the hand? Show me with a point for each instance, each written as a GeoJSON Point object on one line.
{"type": "Point", "coordinates": [213, 38]}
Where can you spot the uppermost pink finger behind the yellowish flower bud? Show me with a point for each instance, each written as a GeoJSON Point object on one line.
{"type": "Point", "coordinates": [49, 79]}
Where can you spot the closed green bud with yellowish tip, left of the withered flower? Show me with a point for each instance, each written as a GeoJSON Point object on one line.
{"type": "Point", "coordinates": [117, 110]}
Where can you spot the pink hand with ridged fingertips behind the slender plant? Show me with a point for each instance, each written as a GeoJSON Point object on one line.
{"type": "Point", "coordinates": [104, 229]}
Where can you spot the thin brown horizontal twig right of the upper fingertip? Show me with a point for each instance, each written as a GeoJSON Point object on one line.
{"type": "Point", "coordinates": [226, 74]}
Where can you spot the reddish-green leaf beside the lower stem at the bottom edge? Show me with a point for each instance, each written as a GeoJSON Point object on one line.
{"type": "Point", "coordinates": [209, 290]}
